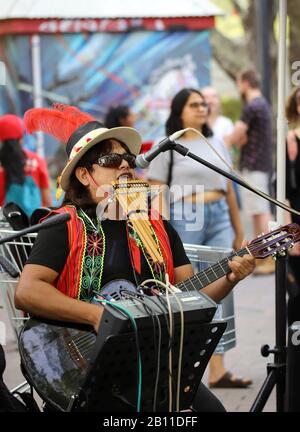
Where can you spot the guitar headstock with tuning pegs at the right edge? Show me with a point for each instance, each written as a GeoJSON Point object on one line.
{"type": "Point", "coordinates": [275, 242]}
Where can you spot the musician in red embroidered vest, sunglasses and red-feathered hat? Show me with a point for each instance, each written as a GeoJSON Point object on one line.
{"type": "Point", "coordinates": [72, 261]}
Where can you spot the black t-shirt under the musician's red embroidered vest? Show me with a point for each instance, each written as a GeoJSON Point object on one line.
{"type": "Point", "coordinates": [51, 249]}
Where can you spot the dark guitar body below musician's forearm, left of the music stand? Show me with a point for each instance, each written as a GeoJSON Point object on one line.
{"type": "Point", "coordinates": [54, 363]}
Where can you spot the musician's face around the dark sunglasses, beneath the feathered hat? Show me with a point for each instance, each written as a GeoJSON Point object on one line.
{"type": "Point", "coordinates": [100, 178]}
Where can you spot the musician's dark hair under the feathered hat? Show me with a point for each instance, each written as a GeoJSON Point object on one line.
{"type": "Point", "coordinates": [77, 193]}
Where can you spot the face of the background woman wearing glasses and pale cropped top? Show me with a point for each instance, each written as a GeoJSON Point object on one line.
{"type": "Point", "coordinates": [195, 112]}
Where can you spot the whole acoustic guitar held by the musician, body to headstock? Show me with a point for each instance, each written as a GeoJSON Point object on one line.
{"type": "Point", "coordinates": [56, 356]}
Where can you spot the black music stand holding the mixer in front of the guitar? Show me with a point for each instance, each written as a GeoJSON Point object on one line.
{"type": "Point", "coordinates": [111, 383]}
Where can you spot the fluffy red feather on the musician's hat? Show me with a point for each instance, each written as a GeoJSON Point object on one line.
{"type": "Point", "coordinates": [60, 122]}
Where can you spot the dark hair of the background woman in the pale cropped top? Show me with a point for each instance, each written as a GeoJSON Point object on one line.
{"type": "Point", "coordinates": [174, 122]}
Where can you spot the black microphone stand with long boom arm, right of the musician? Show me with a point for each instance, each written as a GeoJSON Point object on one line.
{"type": "Point", "coordinates": [276, 371]}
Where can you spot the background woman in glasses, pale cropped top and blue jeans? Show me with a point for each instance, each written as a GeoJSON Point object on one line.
{"type": "Point", "coordinates": [203, 206]}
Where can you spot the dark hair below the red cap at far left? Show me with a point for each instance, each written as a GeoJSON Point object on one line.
{"type": "Point", "coordinates": [13, 158]}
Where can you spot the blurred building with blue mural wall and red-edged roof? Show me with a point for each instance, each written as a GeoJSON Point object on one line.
{"type": "Point", "coordinates": [95, 54]}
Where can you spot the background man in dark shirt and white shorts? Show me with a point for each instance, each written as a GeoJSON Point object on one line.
{"type": "Point", "coordinates": [253, 135]}
